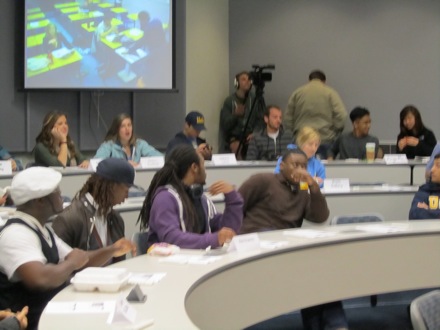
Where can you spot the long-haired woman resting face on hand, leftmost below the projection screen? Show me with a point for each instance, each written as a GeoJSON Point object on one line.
{"type": "Point", "coordinates": [54, 146]}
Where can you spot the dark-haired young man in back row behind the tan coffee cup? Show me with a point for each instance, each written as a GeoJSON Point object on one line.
{"type": "Point", "coordinates": [352, 145]}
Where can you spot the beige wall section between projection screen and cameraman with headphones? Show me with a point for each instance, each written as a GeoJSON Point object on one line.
{"type": "Point", "coordinates": [207, 61]}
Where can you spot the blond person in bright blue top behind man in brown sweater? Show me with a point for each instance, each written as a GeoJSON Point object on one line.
{"type": "Point", "coordinates": [308, 141]}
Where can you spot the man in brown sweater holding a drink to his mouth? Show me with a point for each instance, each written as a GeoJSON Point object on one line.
{"type": "Point", "coordinates": [280, 201]}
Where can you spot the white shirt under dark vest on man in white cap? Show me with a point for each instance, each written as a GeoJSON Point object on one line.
{"type": "Point", "coordinates": [20, 245]}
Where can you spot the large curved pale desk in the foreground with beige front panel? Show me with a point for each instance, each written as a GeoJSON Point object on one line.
{"type": "Point", "coordinates": [244, 288]}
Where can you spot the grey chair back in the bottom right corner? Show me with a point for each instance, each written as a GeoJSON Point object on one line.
{"type": "Point", "coordinates": [425, 311]}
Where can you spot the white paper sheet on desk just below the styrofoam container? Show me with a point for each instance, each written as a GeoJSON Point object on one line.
{"type": "Point", "coordinates": [81, 307]}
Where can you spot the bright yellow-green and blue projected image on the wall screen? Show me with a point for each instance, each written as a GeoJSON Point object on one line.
{"type": "Point", "coordinates": [98, 44]}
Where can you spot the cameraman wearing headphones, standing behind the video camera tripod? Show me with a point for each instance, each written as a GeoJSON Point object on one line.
{"type": "Point", "coordinates": [234, 114]}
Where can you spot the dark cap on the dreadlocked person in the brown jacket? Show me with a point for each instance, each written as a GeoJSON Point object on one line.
{"type": "Point", "coordinates": [115, 169]}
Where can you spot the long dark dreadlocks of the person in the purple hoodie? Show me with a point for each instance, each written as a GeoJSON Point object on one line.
{"type": "Point", "coordinates": [177, 164]}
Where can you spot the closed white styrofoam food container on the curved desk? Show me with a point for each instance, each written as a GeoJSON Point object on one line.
{"type": "Point", "coordinates": [101, 279]}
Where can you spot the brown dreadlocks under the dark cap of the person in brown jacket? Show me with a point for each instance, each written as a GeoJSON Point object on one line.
{"type": "Point", "coordinates": [101, 190]}
